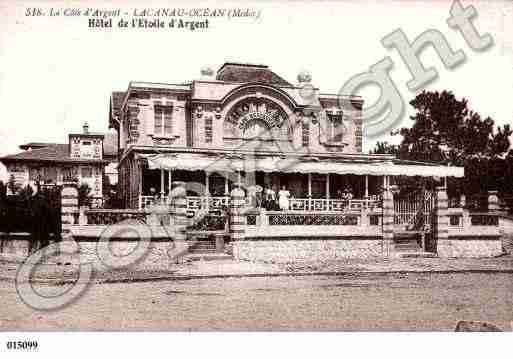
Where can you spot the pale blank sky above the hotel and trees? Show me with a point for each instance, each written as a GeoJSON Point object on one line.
{"type": "Point", "coordinates": [56, 73]}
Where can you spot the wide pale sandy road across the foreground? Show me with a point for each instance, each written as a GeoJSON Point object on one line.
{"type": "Point", "coordinates": [359, 301]}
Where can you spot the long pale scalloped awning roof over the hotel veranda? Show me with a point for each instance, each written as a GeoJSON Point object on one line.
{"type": "Point", "coordinates": [213, 163]}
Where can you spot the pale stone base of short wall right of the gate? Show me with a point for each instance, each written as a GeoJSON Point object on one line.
{"type": "Point", "coordinates": [469, 247]}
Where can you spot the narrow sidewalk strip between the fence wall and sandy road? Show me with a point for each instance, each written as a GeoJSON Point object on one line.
{"type": "Point", "coordinates": [165, 271]}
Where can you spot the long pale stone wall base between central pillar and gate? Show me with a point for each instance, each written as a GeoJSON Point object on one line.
{"type": "Point", "coordinates": [283, 251]}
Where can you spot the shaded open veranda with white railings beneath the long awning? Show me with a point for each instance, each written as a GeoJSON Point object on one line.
{"type": "Point", "coordinates": [309, 192]}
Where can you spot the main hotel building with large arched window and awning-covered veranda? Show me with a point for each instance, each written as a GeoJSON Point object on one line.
{"type": "Point", "coordinates": [247, 124]}
